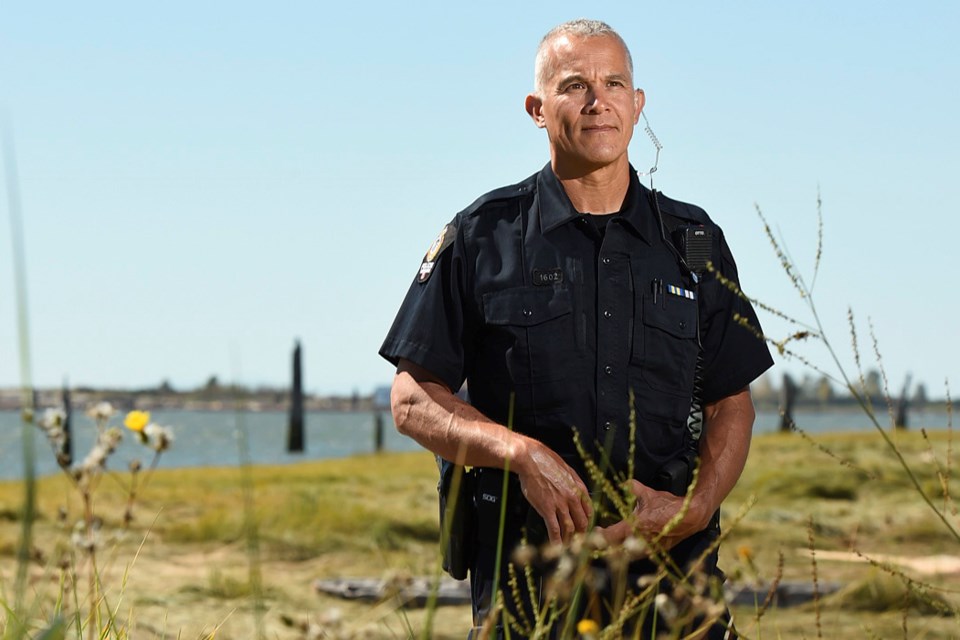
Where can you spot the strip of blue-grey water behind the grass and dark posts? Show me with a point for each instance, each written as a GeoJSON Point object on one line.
{"type": "Point", "coordinates": [208, 438]}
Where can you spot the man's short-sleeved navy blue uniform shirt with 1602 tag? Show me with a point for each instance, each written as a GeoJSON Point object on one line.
{"type": "Point", "coordinates": [522, 295]}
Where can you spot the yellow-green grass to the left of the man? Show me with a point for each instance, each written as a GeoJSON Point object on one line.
{"type": "Point", "coordinates": [358, 517]}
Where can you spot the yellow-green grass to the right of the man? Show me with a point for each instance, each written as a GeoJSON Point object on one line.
{"type": "Point", "coordinates": [874, 510]}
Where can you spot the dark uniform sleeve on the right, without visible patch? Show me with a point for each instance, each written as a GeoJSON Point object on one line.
{"type": "Point", "coordinates": [734, 354]}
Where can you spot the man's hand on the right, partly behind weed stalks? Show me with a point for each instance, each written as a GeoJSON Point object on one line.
{"type": "Point", "coordinates": [651, 515]}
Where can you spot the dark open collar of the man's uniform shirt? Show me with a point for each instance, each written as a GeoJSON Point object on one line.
{"type": "Point", "coordinates": [556, 208]}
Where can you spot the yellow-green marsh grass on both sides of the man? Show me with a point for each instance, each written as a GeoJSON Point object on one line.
{"type": "Point", "coordinates": [375, 516]}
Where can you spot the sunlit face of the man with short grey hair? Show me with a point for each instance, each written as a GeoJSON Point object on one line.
{"type": "Point", "coordinates": [587, 103]}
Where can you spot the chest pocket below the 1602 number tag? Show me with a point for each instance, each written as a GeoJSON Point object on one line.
{"type": "Point", "coordinates": [536, 328]}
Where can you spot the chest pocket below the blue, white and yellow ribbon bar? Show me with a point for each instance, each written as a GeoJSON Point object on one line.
{"type": "Point", "coordinates": [665, 346]}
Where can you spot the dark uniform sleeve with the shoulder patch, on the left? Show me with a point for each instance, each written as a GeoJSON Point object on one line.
{"type": "Point", "coordinates": [434, 322]}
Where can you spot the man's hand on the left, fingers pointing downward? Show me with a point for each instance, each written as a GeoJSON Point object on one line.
{"type": "Point", "coordinates": [554, 490]}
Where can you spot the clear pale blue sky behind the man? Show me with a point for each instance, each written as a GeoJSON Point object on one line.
{"type": "Point", "coordinates": [203, 183]}
